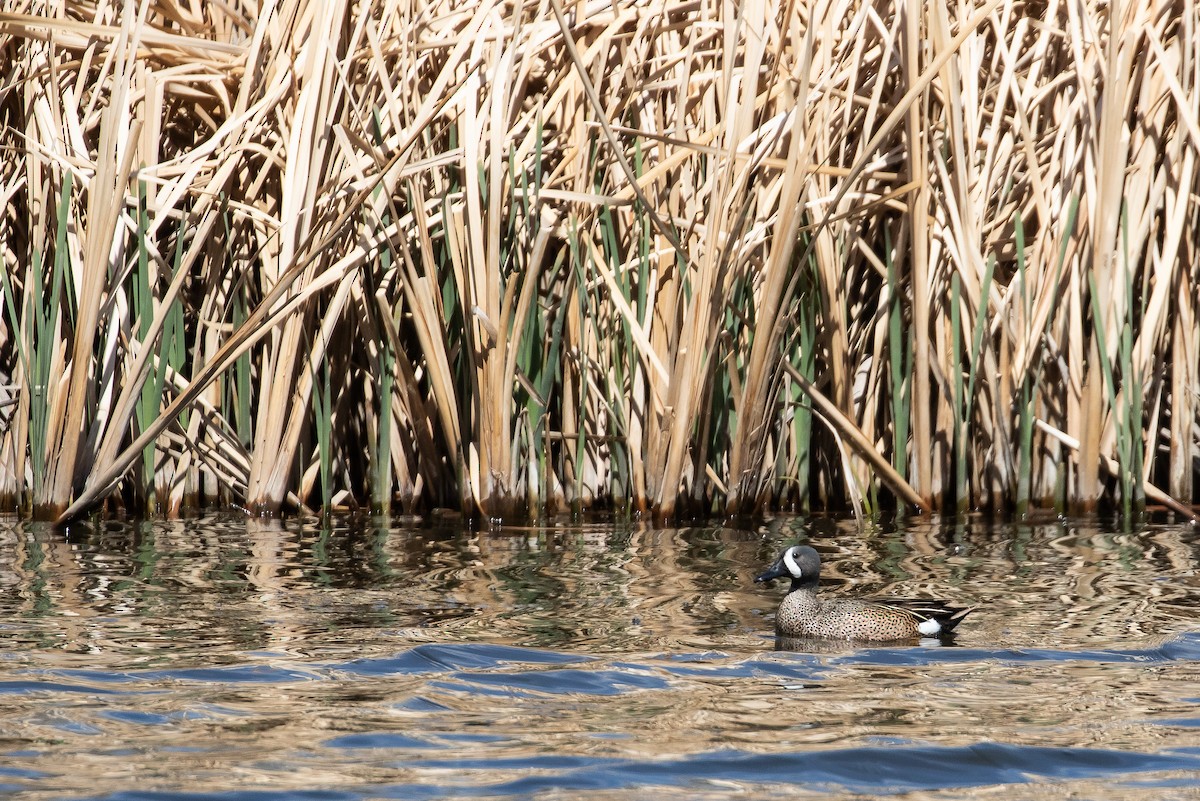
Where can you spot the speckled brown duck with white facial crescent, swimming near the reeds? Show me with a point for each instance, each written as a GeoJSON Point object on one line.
{"type": "Point", "coordinates": [803, 615]}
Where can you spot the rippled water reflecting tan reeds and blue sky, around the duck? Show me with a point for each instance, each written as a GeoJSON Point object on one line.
{"type": "Point", "coordinates": [243, 660]}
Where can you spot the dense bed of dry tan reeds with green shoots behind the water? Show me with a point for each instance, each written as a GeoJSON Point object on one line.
{"type": "Point", "coordinates": [683, 257]}
